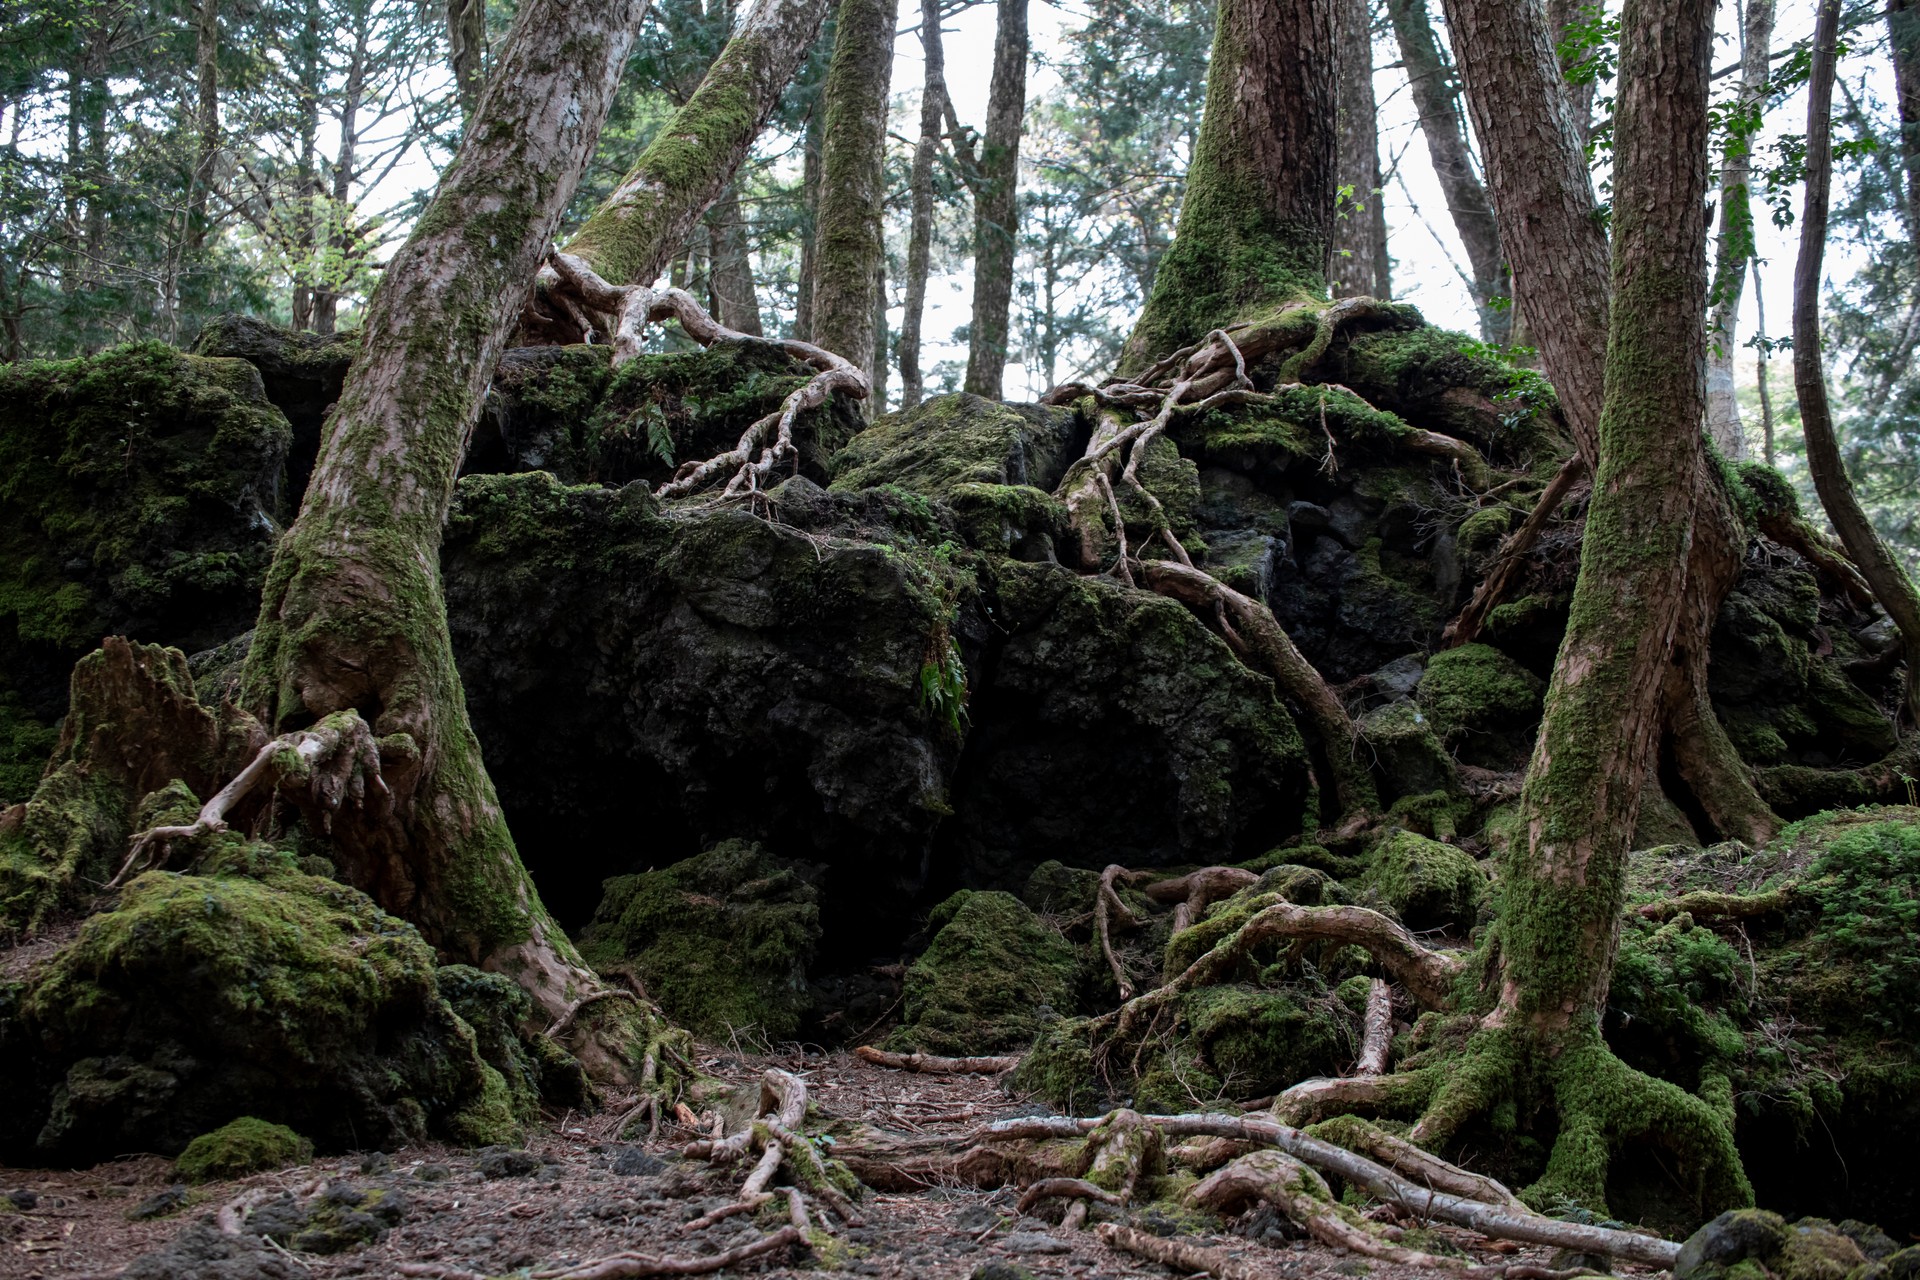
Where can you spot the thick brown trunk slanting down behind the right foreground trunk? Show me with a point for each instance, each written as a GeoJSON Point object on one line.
{"type": "Point", "coordinates": [1543, 197]}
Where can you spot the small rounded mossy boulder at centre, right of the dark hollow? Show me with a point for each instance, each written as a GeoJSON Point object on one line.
{"type": "Point", "coordinates": [990, 982]}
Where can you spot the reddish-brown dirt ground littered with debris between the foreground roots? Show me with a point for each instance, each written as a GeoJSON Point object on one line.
{"type": "Point", "coordinates": [583, 1195]}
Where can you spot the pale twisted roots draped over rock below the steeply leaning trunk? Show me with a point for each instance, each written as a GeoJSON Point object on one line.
{"type": "Point", "coordinates": [767, 446]}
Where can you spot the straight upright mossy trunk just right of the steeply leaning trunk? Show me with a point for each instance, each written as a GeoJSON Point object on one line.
{"type": "Point", "coordinates": [853, 156]}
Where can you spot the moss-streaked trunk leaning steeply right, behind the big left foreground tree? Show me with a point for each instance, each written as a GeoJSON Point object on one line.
{"type": "Point", "coordinates": [688, 166]}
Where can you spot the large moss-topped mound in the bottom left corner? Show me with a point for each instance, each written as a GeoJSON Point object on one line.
{"type": "Point", "coordinates": [201, 999]}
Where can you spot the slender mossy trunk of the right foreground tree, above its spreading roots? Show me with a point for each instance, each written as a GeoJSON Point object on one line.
{"type": "Point", "coordinates": [1566, 880]}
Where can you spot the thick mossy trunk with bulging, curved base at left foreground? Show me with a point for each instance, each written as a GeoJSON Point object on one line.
{"type": "Point", "coordinates": [352, 617]}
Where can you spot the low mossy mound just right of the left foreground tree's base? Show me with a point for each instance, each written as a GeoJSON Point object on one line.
{"type": "Point", "coordinates": [721, 941]}
